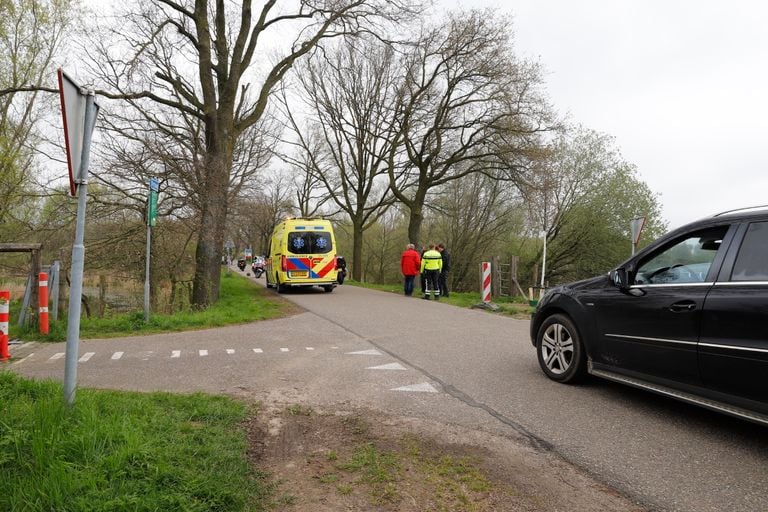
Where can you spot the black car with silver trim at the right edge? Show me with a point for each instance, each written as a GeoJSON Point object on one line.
{"type": "Point", "coordinates": [686, 317]}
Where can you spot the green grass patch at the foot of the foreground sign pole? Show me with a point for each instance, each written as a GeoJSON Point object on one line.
{"type": "Point", "coordinates": [123, 451]}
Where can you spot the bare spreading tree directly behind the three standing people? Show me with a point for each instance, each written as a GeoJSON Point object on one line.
{"type": "Point", "coordinates": [467, 105]}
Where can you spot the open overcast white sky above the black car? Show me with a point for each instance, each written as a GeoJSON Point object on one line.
{"type": "Point", "coordinates": [682, 85]}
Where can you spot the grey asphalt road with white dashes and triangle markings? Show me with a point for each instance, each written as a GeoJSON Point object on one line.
{"type": "Point", "coordinates": [468, 367]}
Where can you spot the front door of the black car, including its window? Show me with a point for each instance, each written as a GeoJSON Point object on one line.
{"type": "Point", "coordinates": [652, 328]}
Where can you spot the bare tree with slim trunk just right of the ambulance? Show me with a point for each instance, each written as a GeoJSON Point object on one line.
{"type": "Point", "coordinates": [349, 91]}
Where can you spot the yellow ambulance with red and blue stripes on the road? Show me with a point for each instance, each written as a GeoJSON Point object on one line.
{"type": "Point", "coordinates": [302, 252]}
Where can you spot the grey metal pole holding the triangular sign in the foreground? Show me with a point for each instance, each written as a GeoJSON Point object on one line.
{"type": "Point", "coordinates": [78, 260]}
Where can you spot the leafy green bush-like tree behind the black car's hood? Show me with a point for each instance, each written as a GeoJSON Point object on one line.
{"type": "Point", "coordinates": [585, 195]}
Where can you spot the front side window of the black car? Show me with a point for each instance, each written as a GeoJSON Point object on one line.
{"type": "Point", "coordinates": [685, 260]}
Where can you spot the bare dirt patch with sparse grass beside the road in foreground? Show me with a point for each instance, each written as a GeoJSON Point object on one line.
{"type": "Point", "coordinates": [360, 460]}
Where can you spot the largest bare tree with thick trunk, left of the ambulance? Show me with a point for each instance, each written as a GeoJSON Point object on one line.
{"type": "Point", "coordinates": [196, 63]}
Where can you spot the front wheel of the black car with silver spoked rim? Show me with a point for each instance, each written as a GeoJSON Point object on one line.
{"type": "Point", "coordinates": [560, 350]}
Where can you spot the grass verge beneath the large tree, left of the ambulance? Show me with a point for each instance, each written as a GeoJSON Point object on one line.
{"type": "Point", "coordinates": [240, 301]}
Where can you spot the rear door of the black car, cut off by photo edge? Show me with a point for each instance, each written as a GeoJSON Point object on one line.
{"type": "Point", "coordinates": [733, 349]}
